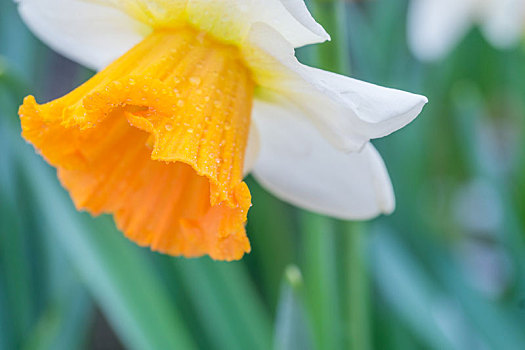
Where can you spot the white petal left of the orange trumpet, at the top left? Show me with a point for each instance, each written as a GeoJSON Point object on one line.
{"type": "Point", "coordinates": [86, 32]}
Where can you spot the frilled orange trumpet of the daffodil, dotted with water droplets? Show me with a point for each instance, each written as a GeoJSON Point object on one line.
{"type": "Point", "coordinates": [158, 140]}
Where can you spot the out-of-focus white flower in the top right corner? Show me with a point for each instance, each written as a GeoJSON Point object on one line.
{"type": "Point", "coordinates": [436, 26]}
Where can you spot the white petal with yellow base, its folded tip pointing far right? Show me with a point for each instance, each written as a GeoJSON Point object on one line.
{"type": "Point", "coordinates": [348, 112]}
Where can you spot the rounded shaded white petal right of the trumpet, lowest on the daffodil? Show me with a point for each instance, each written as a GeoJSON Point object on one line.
{"type": "Point", "coordinates": [299, 166]}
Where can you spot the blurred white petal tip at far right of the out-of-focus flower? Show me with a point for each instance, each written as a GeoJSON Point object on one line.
{"type": "Point", "coordinates": [504, 22]}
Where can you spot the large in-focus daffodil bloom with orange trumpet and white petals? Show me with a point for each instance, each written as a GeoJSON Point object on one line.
{"type": "Point", "coordinates": [191, 96]}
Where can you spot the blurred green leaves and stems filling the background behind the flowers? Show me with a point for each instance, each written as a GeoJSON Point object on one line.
{"type": "Point", "coordinates": [445, 271]}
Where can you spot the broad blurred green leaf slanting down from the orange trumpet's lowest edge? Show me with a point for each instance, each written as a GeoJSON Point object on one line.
{"type": "Point", "coordinates": [226, 303]}
